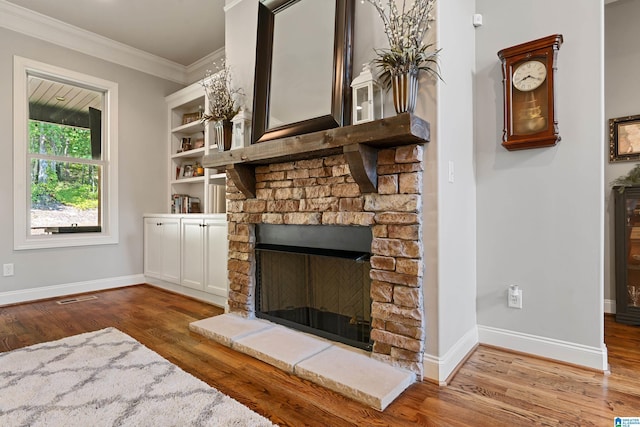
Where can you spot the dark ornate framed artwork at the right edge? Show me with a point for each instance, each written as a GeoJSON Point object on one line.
{"type": "Point", "coordinates": [624, 139]}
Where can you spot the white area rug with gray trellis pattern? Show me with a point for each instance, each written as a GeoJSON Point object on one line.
{"type": "Point", "coordinates": [106, 378]}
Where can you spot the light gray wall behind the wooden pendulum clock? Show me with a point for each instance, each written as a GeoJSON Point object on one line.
{"type": "Point", "coordinates": [540, 212]}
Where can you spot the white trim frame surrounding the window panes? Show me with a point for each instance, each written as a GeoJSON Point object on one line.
{"type": "Point", "coordinates": [22, 238]}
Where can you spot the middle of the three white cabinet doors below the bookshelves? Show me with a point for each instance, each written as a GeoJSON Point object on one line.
{"type": "Point", "coordinates": [192, 253]}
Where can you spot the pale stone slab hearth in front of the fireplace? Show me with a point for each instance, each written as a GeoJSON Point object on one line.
{"type": "Point", "coordinates": [343, 369]}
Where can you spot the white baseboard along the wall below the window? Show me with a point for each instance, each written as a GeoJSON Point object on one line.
{"type": "Point", "coordinates": [32, 294]}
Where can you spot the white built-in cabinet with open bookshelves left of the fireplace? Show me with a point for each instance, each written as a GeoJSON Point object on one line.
{"type": "Point", "coordinates": [187, 252]}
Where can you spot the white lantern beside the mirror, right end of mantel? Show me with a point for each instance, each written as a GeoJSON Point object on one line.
{"type": "Point", "coordinates": [368, 97]}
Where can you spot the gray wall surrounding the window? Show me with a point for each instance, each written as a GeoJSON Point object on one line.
{"type": "Point", "coordinates": [142, 170]}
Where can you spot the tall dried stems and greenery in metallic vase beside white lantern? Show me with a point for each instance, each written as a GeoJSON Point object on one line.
{"type": "Point", "coordinates": [407, 54]}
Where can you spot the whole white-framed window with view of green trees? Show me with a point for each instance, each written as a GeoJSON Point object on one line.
{"type": "Point", "coordinates": [65, 157]}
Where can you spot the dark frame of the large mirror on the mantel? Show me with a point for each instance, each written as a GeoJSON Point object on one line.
{"type": "Point", "coordinates": [342, 61]}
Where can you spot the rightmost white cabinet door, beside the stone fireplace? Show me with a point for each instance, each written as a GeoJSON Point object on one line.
{"type": "Point", "coordinates": [215, 256]}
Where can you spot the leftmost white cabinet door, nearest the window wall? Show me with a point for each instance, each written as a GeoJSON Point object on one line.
{"type": "Point", "coordinates": [162, 248]}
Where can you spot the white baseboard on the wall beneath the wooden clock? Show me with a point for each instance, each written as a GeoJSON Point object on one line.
{"type": "Point", "coordinates": [568, 352]}
